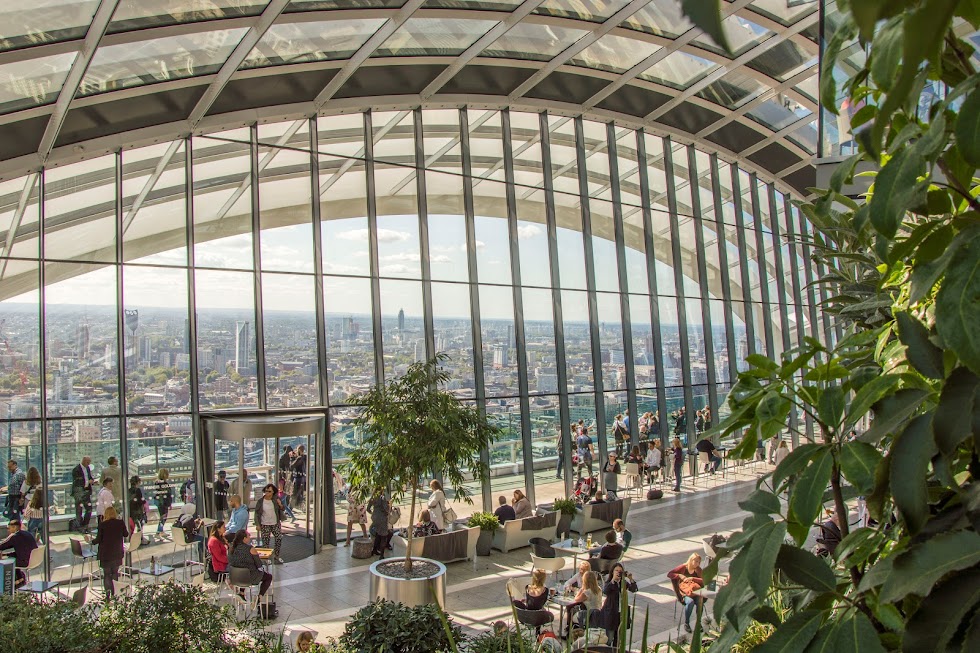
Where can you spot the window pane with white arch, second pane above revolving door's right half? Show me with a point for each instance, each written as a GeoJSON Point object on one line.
{"type": "Point", "coordinates": [285, 214]}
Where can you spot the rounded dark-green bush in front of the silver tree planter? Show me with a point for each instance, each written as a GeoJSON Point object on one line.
{"type": "Point", "coordinates": [387, 627]}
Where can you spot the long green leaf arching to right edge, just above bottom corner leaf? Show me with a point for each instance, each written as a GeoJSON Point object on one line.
{"type": "Point", "coordinates": [916, 571]}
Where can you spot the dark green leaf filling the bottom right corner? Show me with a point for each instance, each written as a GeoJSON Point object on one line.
{"type": "Point", "coordinates": [940, 614]}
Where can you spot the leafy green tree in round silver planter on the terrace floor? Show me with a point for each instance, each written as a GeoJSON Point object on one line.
{"type": "Point", "coordinates": [413, 427]}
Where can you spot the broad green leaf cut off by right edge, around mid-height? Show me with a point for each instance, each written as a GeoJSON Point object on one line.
{"type": "Point", "coordinates": [958, 304]}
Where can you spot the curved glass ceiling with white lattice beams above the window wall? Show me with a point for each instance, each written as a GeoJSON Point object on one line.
{"type": "Point", "coordinates": [562, 50]}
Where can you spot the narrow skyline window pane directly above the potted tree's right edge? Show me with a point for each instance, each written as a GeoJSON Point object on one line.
{"type": "Point", "coordinates": [499, 342]}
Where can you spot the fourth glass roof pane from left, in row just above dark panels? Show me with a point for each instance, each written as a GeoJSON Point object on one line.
{"type": "Point", "coordinates": [433, 36]}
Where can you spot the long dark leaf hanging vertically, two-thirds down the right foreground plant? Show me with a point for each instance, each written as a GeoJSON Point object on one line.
{"type": "Point", "coordinates": [910, 455]}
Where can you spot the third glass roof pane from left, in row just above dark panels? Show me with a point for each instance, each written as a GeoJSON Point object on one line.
{"type": "Point", "coordinates": [303, 42]}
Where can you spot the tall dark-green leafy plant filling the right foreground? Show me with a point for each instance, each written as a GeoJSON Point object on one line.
{"type": "Point", "coordinates": [903, 274]}
